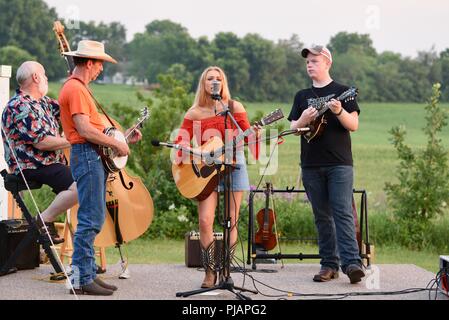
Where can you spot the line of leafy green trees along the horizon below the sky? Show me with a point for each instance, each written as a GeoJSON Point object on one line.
{"type": "Point", "coordinates": [258, 69]}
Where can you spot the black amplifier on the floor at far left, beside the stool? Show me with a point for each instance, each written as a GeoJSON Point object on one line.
{"type": "Point", "coordinates": [11, 234]}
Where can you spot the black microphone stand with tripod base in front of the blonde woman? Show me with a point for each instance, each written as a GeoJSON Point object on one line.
{"type": "Point", "coordinates": [226, 283]}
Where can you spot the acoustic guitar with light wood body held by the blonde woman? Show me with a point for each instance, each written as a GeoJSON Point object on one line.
{"type": "Point", "coordinates": [197, 179]}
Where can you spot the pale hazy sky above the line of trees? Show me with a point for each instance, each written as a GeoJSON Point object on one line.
{"type": "Point", "coordinates": [402, 26]}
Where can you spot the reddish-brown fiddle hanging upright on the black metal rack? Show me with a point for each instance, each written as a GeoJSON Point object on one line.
{"type": "Point", "coordinates": [266, 218]}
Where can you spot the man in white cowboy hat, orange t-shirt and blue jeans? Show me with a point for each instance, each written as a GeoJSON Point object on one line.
{"type": "Point", "coordinates": [84, 130]}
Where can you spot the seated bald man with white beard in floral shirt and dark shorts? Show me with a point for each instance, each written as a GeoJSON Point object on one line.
{"type": "Point", "coordinates": [32, 142]}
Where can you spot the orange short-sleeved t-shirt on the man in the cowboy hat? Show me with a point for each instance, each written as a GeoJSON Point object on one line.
{"type": "Point", "coordinates": [74, 98]}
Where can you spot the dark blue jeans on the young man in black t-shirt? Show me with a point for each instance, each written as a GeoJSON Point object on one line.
{"type": "Point", "coordinates": [329, 190]}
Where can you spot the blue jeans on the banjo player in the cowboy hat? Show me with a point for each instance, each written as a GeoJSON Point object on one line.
{"type": "Point", "coordinates": [88, 172]}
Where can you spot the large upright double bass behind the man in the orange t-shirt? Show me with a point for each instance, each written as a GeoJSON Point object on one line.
{"type": "Point", "coordinates": [129, 205]}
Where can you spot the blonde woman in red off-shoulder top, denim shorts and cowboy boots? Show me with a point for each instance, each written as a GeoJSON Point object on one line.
{"type": "Point", "coordinates": [202, 122]}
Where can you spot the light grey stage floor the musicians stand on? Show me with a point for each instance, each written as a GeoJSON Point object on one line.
{"type": "Point", "coordinates": [163, 281]}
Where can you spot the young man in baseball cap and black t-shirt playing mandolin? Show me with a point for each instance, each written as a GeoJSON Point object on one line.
{"type": "Point", "coordinates": [326, 162]}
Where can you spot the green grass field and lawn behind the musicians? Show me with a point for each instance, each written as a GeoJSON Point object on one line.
{"type": "Point", "coordinates": [375, 163]}
